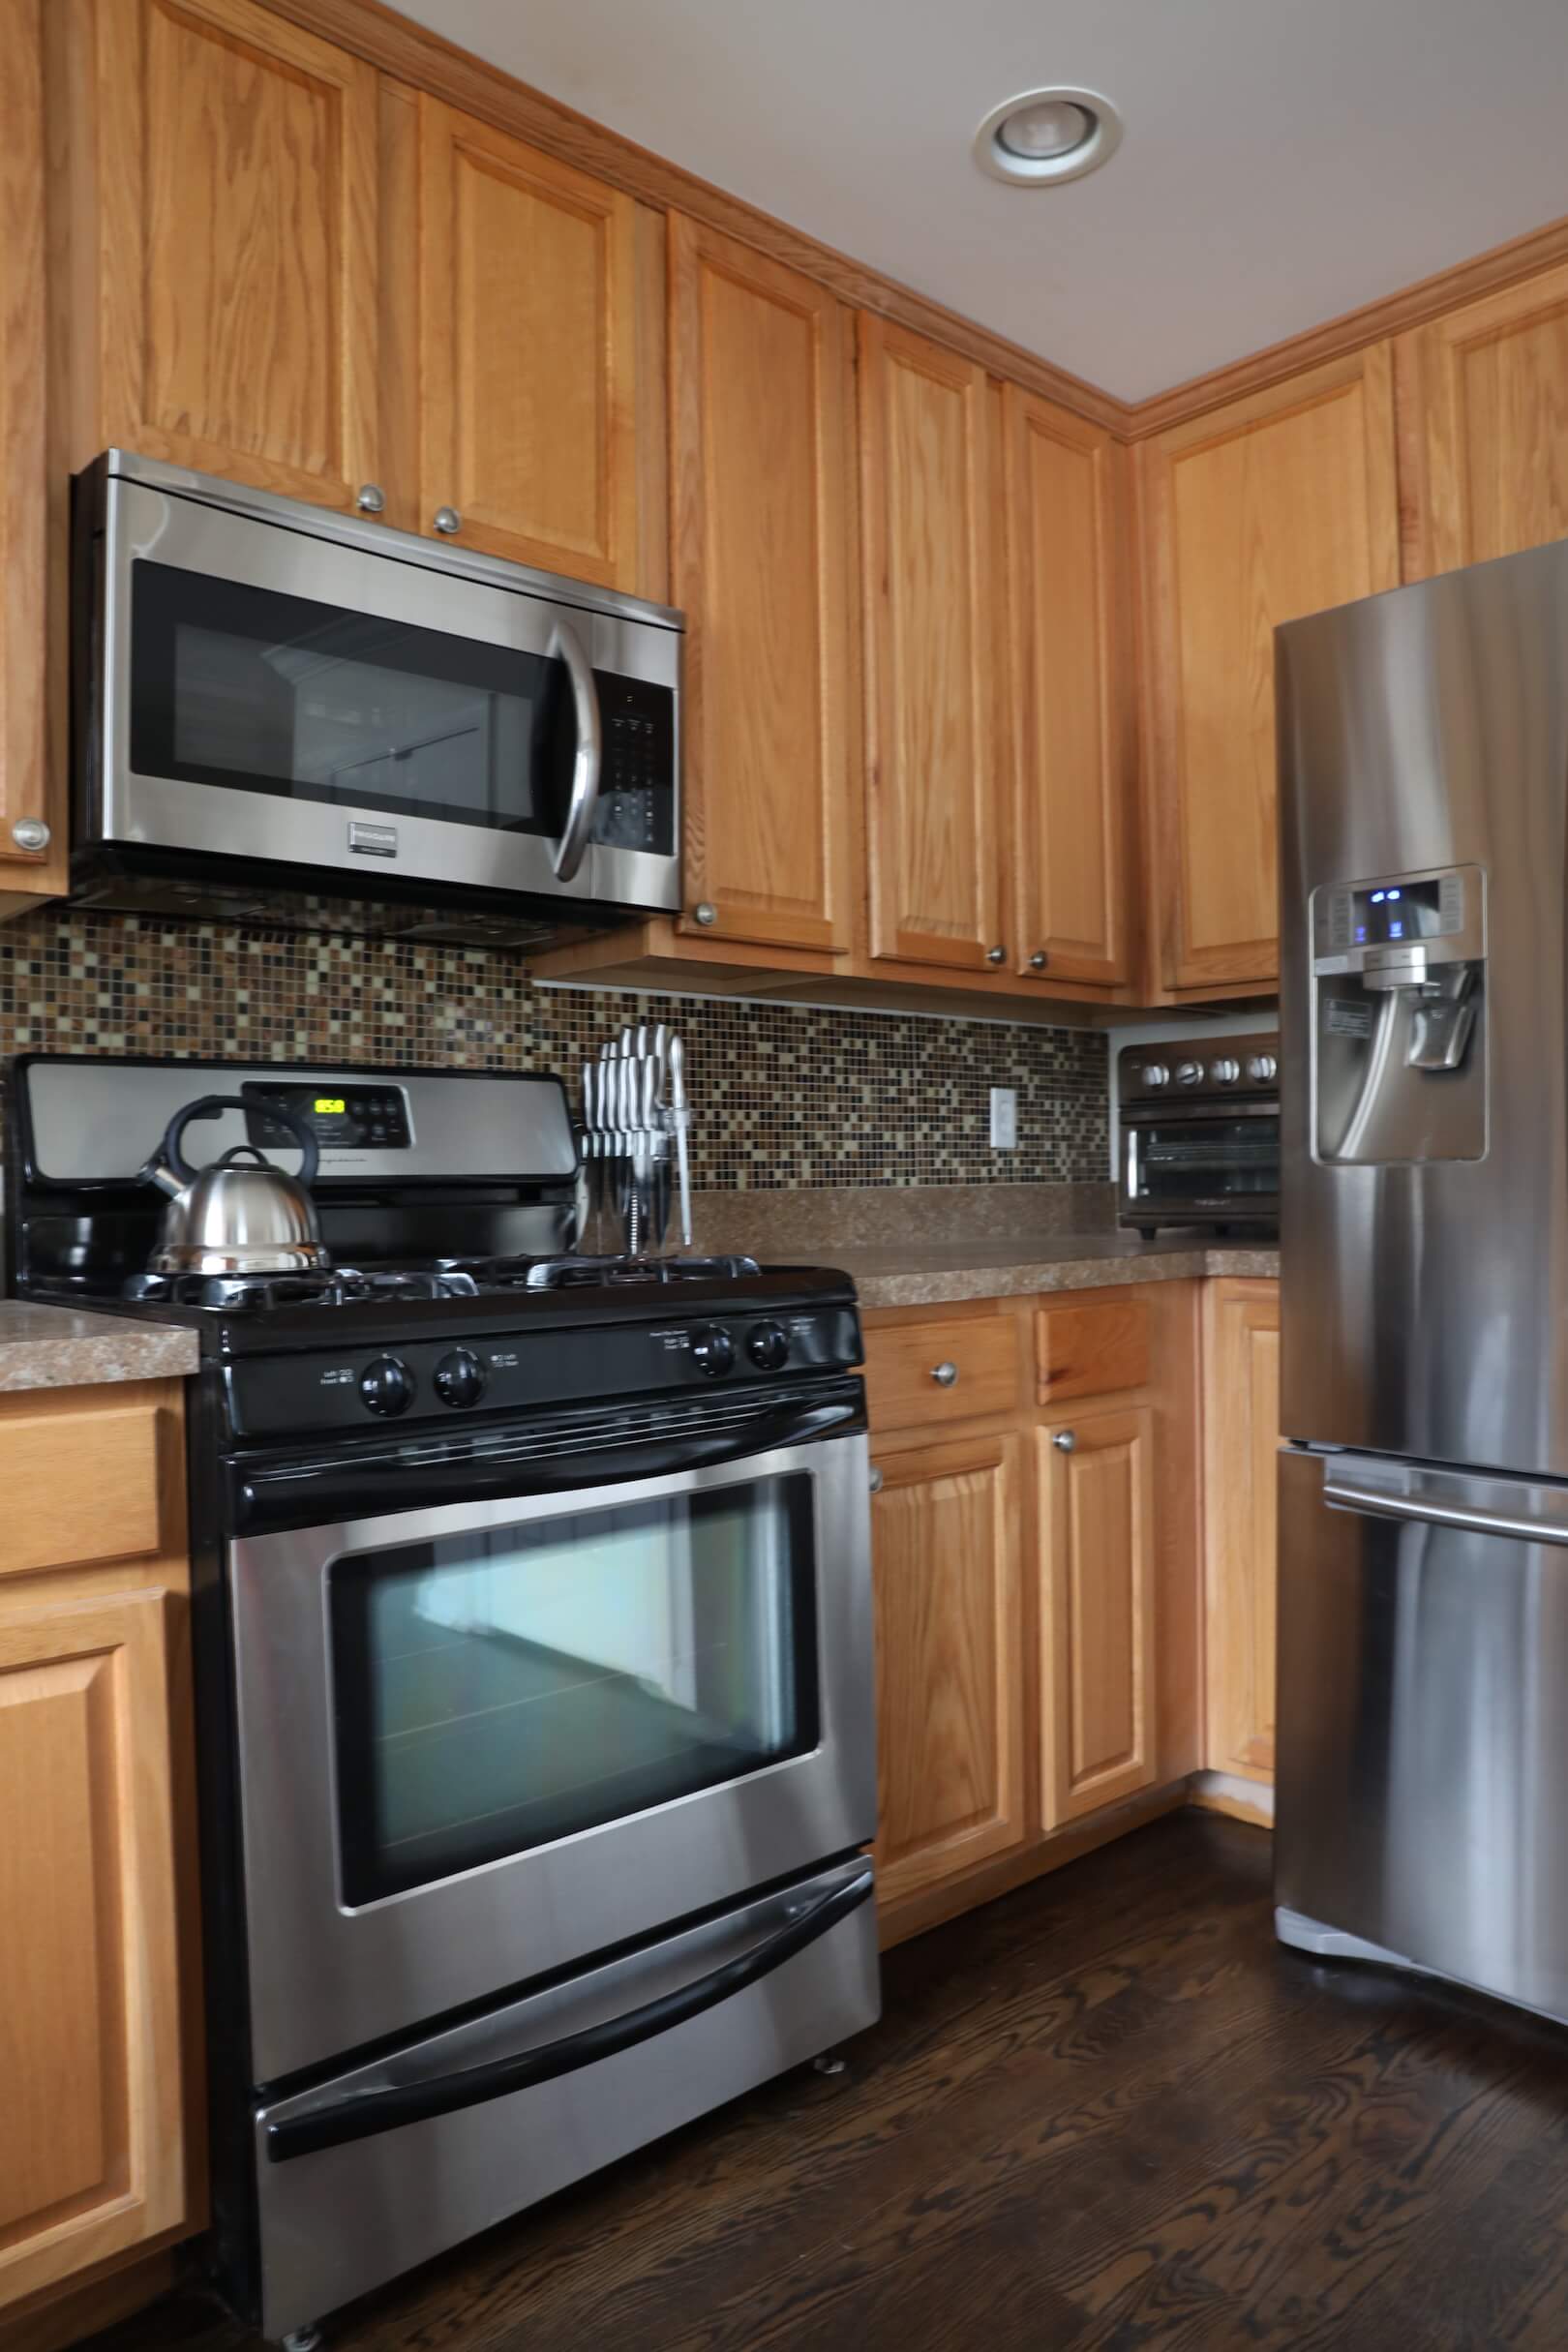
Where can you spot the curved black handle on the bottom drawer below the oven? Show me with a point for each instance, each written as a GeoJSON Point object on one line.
{"type": "Point", "coordinates": [368, 2113]}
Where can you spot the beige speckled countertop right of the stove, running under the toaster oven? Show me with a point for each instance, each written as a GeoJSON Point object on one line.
{"type": "Point", "coordinates": [934, 1274]}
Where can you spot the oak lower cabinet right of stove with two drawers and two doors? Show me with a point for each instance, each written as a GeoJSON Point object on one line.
{"type": "Point", "coordinates": [1038, 1617]}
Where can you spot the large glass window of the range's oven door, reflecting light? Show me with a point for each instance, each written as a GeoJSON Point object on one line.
{"type": "Point", "coordinates": [514, 1688]}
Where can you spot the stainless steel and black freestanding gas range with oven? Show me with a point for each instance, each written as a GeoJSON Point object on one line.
{"type": "Point", "coordinates": [535, 1678]}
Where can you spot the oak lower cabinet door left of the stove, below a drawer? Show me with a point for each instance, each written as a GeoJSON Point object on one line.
{"type": "Point", "coordinates": [91, 2052]}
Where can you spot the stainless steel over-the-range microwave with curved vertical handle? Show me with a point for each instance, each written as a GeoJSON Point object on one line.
{"type": "Point", "coordinates": [302, 719]}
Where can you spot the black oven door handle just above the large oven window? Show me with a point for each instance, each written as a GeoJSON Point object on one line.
{"type": "Point", "coordinates": [323, 1490]}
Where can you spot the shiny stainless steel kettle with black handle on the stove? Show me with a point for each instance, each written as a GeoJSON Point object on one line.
{"type": "Point", "coordinates": [241, 1215]}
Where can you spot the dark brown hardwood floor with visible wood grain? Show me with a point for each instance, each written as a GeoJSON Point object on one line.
{"type": "Point", "coordinates": [1101, 2113]}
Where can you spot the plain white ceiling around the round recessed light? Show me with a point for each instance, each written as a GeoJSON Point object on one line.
{"type": "Point", "coordinates": [1285, 159]}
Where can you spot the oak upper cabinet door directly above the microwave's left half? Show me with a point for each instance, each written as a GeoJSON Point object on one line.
{"type": "Point", "coordinates": [225, 243]}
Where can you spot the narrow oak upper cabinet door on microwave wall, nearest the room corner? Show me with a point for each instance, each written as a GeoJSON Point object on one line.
{"type": "Point", "coordinates": [1071, 664]}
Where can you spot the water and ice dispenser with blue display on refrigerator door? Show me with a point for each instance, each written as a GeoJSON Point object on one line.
{"type": "Point", "coordinates": [1400, 1020]}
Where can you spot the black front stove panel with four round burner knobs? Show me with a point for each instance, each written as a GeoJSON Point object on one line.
{"type": "Point", "coordinates": [504, 1365]}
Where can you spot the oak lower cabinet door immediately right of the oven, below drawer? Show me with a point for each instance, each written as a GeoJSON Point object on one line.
{"type": "Point", "coordinates": [946, 1551]}
